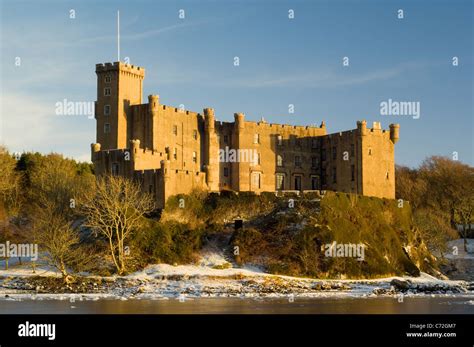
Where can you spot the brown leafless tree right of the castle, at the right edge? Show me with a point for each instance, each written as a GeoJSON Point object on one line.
{"type": "Point", "coordinates": [442, 194]}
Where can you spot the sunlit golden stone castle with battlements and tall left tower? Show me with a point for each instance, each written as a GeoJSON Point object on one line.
{"type": "Point", "coordinates": [170, 150]}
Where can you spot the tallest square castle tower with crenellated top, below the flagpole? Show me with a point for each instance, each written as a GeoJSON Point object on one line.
{"type": "Point", "coordinates": [119, 85]}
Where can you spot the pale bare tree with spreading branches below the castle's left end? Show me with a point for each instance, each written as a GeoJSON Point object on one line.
{"type": "Point", "coordinates": [116, 211]}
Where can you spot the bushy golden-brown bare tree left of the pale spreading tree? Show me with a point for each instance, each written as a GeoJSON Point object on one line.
{"type": "Point", "coordinates": [56, 189]}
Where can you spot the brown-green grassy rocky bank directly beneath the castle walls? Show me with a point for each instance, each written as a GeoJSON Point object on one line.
{"type": "Point", "coordinates": [287, 235]}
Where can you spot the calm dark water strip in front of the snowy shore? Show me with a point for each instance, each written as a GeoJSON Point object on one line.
{"type": "Point", "coordinates": [375, 305]}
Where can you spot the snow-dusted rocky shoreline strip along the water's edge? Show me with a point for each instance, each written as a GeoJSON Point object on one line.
{"type": "Point", "coordinates": [161, 282]}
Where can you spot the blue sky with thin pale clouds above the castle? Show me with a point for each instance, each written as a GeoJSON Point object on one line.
{"type": "Point", "coordinates": [190, 61]}
